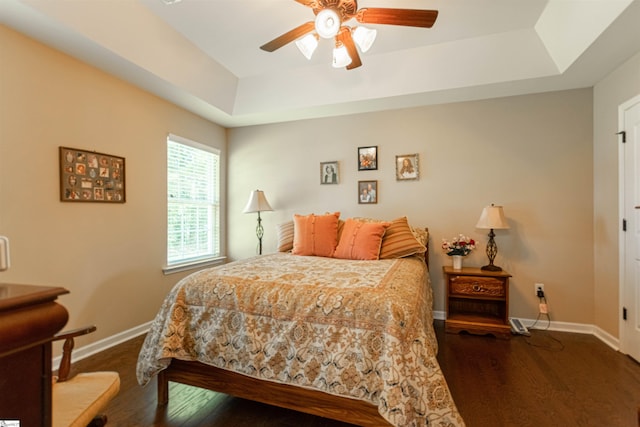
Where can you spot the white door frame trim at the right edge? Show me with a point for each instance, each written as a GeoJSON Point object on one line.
{"type": "Point", "coordinates": [622, 193]}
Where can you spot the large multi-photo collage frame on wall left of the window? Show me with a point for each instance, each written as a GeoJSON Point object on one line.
{"type": "Point", "coordinates": [88, 176]}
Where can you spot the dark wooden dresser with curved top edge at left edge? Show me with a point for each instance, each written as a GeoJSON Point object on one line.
{"type": "Point", "coordinates": [29, 318]}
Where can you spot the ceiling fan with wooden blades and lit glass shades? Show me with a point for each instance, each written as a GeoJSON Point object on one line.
{"type": "Point", "coordinates": [331, 15]}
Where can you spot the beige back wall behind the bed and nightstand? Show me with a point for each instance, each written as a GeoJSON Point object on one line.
{"type": "Point", "coordinates": [532, 154]}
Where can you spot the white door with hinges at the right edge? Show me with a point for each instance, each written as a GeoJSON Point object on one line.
{"type": "Point", "coordinates": [630, 292]}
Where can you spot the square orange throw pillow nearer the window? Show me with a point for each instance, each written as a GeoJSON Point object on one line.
{"type": "Point", "coordinates": [315, 234]}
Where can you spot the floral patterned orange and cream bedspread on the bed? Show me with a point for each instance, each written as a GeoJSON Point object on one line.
{"type": "Point", "coordinates": [360, 329]}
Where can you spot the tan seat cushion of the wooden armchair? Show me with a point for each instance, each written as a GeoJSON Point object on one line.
{"type": "Point", "coordinates": [77, 401]}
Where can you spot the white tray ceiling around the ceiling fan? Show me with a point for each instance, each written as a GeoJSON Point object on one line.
{"type": "Point", "coordinates": [204, 54]}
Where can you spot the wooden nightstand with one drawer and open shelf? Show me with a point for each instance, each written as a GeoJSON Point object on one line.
{"type": "Point", "coordinates": [477, 301]}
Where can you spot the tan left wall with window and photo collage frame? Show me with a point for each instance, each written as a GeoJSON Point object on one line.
{"type": "Point", "coordinates": [108, 255]}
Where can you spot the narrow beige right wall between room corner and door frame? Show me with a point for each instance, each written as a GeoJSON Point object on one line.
{"type": "Point", "coordinates": [620, 86]}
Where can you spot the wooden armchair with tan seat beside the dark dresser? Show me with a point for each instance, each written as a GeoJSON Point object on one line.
{"type": "Point", "coordinates": [77, 401]}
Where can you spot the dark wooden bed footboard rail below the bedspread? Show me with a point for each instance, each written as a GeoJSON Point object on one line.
{"type": "Point", "coordinates": [286, 396]}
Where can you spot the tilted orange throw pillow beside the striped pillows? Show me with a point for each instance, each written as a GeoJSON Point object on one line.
{"type": "Point", "coordinates": [360, 240]}
